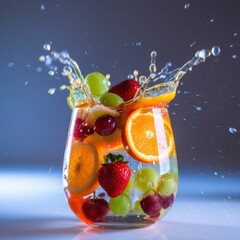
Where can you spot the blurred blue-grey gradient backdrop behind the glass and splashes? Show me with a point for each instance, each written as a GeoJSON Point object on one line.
{"type": "Point", "coordinates": [33, 124]}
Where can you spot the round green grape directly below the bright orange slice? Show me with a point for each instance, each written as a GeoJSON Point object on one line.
{"type": "Point", "coordinates": [146, 179]}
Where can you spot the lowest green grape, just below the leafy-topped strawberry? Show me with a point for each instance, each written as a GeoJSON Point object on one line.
{"type": "Point", "coordinates": [120, 205]}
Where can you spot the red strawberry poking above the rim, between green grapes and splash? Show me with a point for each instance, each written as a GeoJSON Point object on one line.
{"type": "Point", "coordinates": [126, 89]}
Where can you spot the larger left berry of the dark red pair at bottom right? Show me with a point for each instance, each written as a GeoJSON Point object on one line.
{"type": "Point", "coordinates": [151, 205]}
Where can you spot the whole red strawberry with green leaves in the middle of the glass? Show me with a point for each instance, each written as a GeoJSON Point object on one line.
{"type": "Point", "coordinates": [114, 176]}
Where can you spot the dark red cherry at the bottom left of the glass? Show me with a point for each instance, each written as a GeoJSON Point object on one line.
{"type": "Point", "coordinates": [95, 209]}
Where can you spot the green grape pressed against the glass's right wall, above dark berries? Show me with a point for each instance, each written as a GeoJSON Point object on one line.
{"type": "Point", "coordinates": [167, 184]}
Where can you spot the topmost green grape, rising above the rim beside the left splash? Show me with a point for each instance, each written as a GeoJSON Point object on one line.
{"type": "Point", "coordinates": [97, 83]}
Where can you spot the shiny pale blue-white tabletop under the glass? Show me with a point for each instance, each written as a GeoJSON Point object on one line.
{"type": "Point", "coordinates": [32, 206]}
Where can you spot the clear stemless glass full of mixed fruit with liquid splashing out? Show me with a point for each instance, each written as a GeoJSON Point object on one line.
{"type": "Point", "coordinates": [120, 166]}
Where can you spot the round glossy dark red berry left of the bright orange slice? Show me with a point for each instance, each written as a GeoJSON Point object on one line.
{"type": "Point", "coordinates": [105, 125]}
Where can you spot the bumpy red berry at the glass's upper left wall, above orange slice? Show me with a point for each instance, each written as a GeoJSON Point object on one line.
{"type": "Point", "coordinates": [81, 130]}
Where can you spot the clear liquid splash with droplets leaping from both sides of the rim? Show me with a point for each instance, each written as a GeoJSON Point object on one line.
{"type": "Point", "coordinates": [156, 84]}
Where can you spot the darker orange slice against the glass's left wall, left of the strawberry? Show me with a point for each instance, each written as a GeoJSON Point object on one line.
{"type": "Point", "coordinates": [83, 169]}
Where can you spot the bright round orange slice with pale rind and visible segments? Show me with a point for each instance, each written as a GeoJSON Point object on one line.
{"type": "Point", "coordinates": [147, 135]}
